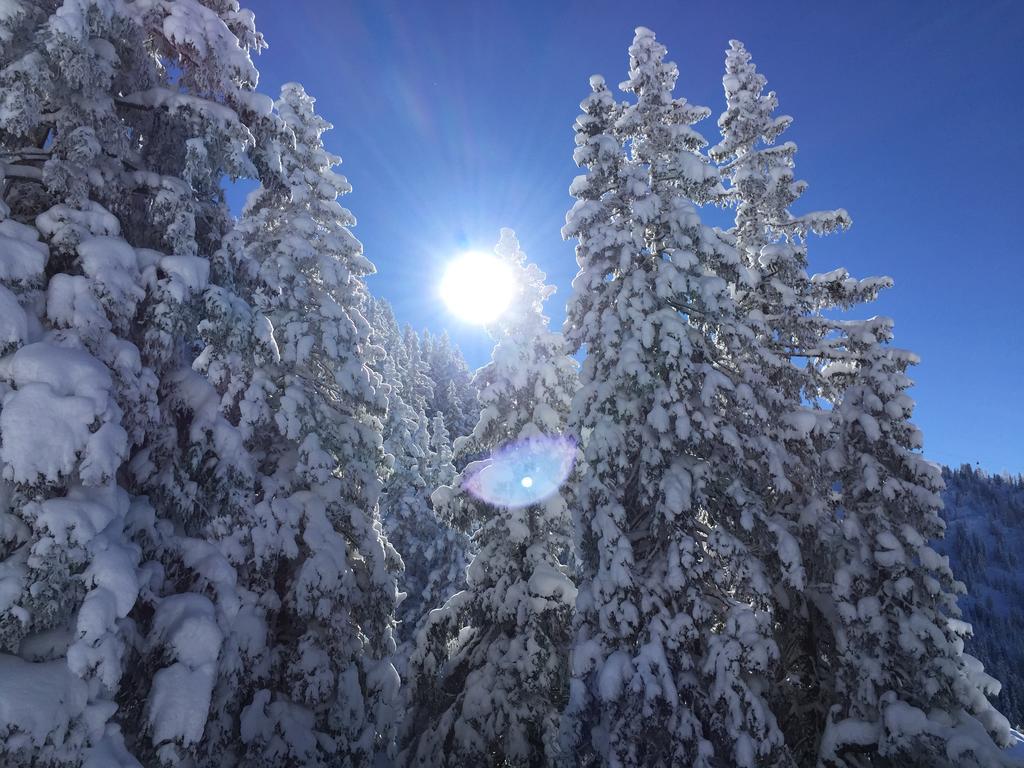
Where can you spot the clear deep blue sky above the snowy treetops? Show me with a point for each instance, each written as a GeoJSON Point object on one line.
{"type": "Point", "coordinates": [454, 119]}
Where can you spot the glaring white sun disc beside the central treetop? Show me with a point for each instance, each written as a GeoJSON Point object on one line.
{"type": "Point", "coordinates": [478, 288]}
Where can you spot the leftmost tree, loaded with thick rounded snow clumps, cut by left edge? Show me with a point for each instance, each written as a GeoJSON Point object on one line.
{"type": "Point", "coordinates": [68, 574]}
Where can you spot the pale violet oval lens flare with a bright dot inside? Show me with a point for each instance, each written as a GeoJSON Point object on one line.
{"type": "Point", "coordinates": [524, 473]}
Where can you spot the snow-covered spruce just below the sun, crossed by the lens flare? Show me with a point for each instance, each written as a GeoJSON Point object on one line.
{"type": "Point", "coordinates": [489, 675]}
